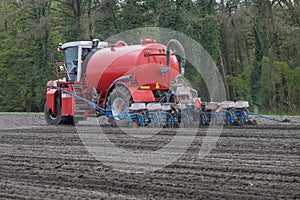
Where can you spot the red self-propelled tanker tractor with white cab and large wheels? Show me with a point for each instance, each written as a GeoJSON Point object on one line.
{"type": "Point", "coordinates": [134, 84]}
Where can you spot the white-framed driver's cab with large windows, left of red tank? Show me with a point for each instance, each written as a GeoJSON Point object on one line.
{"type": "Point", "coordinates": [74, 55]}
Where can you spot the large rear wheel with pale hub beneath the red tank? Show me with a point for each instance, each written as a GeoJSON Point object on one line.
{"type": "Point", "coordinates": [119, 99]}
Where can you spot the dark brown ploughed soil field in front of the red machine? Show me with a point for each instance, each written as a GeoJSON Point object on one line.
{"type": "Point", "coordinates": [43, 162]}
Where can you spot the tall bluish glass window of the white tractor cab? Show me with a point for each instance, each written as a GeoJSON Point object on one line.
{"type": "Point", "coordinates": [71, 62]}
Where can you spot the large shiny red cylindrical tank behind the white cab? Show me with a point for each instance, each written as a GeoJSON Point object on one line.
{"type": "Point", "coordinates": [143, 62]}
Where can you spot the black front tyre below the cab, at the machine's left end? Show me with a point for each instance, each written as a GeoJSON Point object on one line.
{"type": "Point", "coordinates": [54, 117]}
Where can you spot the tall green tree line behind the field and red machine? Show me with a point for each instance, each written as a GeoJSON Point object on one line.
{"type": "Point", "coordinates": [255, 43]}
